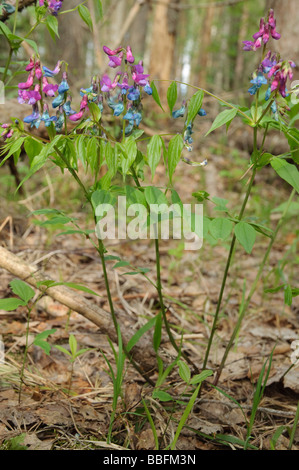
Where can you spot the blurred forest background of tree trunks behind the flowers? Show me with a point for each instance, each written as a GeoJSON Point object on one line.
{"type": "Point", "coordinates": [193, 41]}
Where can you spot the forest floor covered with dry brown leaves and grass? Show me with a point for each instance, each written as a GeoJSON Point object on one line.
{"type": "Point", "coordinates": [48, 417]}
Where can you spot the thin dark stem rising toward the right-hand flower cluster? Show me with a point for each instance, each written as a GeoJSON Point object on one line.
{"type": "Point", "coordinates": [228, 263]}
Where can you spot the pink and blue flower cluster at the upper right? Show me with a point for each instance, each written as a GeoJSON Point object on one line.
{"type": "Point", "coordinates": [272, 71]}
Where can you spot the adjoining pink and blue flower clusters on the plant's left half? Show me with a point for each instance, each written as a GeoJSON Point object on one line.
{"type": "Point", "coordinates": [122, 94]}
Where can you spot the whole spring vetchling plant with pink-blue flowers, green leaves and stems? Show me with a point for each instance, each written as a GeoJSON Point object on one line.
{"type": "Point", "coordinates": [78, 136]}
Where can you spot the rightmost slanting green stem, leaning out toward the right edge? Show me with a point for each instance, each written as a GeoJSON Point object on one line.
{"type": "Point", "coordinates": [253, 288]}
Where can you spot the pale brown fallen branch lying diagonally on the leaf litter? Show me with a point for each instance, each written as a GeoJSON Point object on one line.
{"type": "Point", "coordinates": [143, 354]}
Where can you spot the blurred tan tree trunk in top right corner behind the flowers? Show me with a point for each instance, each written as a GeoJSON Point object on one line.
{"type": "Point", "coordinates": [287, 19]}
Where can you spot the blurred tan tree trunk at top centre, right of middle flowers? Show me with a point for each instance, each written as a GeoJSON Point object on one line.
{"type": "Point", "coordinates": [163, 44]}
